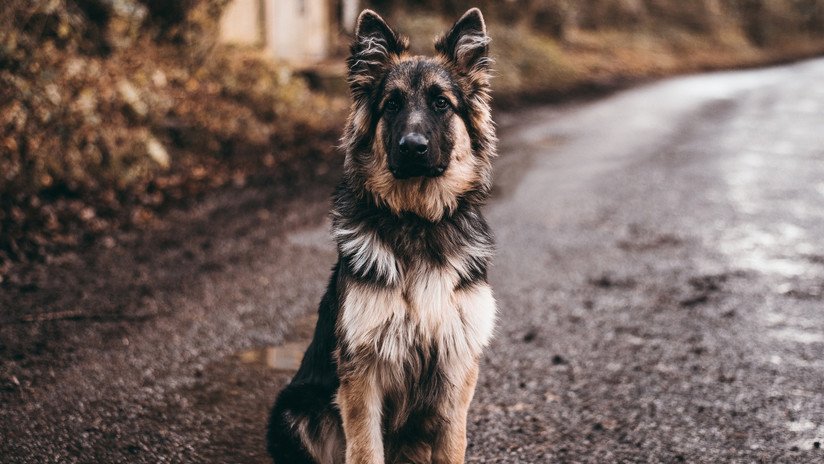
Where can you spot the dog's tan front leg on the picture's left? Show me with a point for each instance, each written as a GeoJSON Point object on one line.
{"type": "Point", "coordinates": [361, 407]}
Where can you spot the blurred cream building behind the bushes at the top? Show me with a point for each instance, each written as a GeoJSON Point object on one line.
{"type": "Point", "coordinates": [299, 32]}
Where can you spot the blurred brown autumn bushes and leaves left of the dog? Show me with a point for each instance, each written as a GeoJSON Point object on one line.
{"type": "Point", "coordinates": [112, 110]}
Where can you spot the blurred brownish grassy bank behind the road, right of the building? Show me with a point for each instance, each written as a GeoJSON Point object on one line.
{"type": "Point", "coordinates": [548, 49]}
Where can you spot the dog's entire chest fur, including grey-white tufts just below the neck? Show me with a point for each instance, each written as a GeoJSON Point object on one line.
{"type": "Point", "coordinates": [433, 303]}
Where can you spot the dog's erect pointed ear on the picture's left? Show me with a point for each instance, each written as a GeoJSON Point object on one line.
{"type": "Point", "coordinates": [375, 47]}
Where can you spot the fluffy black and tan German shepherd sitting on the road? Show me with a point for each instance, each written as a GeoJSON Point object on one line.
{"type": "Point", "coordinates": [392, 367]}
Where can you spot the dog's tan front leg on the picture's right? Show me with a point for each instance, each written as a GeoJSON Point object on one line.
{"type": "Point", "coordinates": [450, 442]}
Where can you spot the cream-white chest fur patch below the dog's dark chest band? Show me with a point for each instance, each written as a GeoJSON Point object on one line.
{"type": "Point", "coordinates": [424, 308]}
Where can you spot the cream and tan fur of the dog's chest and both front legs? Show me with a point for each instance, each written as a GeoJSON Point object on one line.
{"type": "Point", "coordinates": [382, 325]}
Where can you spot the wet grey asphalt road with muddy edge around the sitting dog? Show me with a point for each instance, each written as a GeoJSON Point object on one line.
{"type": "Point", "coordinates": [660, 280]}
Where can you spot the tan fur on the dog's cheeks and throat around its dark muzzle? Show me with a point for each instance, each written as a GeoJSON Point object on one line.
{"type": "Point", "coordinates": [429, 198]}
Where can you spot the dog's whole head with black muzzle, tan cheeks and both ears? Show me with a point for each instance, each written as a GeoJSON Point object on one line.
{"type": "Point", "coordinates": [420, 135]}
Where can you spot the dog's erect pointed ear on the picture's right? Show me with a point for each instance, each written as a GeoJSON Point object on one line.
{"type": "Point", "coordinates": [466, 44]}
